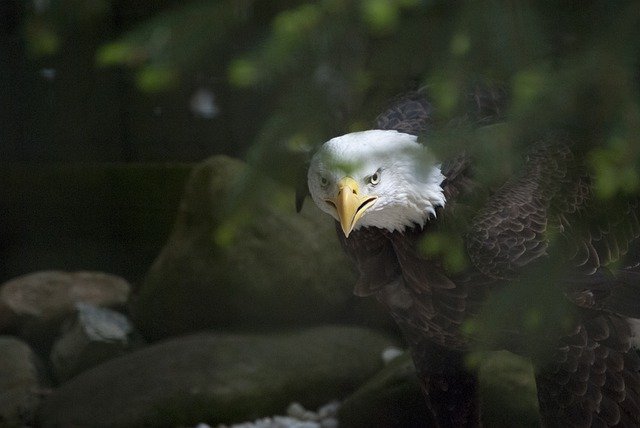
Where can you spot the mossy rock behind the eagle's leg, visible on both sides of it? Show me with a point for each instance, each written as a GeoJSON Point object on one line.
{"type": "Point", "coordinates": [392, 398]}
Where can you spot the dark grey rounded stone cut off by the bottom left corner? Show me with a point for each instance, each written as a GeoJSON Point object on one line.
{"type": "Point", "coordinates": [21, 383]}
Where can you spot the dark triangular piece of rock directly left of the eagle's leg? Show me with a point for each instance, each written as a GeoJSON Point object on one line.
{"type": "Point", "coordinates": [392, 398]}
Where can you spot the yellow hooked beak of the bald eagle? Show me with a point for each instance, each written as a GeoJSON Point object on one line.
{"type": "Point", "coordinates": [350, 204]}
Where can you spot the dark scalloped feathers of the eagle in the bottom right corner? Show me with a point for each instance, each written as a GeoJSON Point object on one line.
{"type": "Point", "coordinates": [595, 381]}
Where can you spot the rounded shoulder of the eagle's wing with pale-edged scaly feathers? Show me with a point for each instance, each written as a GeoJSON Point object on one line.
{"type": "Point", "coordinates": [511, 230]}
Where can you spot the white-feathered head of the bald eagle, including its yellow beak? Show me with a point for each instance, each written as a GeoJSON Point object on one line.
{"type": "Point", "coordinates": [376, 178]}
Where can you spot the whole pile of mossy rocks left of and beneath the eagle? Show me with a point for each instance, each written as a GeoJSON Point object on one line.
{"type": "Point", "coordinates": [247, 309]}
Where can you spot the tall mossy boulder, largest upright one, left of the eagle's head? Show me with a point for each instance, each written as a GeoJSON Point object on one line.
{"type": "Point", "coordinates": [240, 256]}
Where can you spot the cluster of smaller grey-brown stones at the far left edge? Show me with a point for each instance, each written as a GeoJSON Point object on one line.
{"type": "Point", "coordinates": [33, 310]}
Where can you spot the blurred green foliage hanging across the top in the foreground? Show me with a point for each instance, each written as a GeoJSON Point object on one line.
{"type": "Point", "coordinates": [320, 68]}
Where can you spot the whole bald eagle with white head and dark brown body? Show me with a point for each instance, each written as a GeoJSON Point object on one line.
{"type": "Point", "coordinates": [541, 234]}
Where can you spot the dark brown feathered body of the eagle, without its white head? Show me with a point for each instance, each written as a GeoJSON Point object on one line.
{"type": "Point", "coordinates": [543, 228]}
